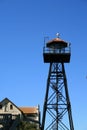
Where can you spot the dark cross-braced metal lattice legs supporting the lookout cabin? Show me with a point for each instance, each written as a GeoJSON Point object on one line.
{"type": "Point", "coordinates": [57, 109]}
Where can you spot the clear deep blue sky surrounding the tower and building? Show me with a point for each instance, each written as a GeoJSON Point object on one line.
{"type": "Point", "coordinates": [23, 75]}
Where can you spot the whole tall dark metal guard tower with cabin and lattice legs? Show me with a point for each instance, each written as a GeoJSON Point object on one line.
{"type": "Point", "coordinates": [57, 113]}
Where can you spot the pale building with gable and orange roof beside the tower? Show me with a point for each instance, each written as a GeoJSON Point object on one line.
{"type": "Point", "coordinates": [11, 115]}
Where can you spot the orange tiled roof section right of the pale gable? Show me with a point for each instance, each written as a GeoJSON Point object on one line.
{"type": "Point", "coordinates": [29, 110]}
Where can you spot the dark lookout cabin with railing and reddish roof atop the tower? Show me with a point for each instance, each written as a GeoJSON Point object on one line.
{"type": "Point", "coordinates": [56, 50]}
